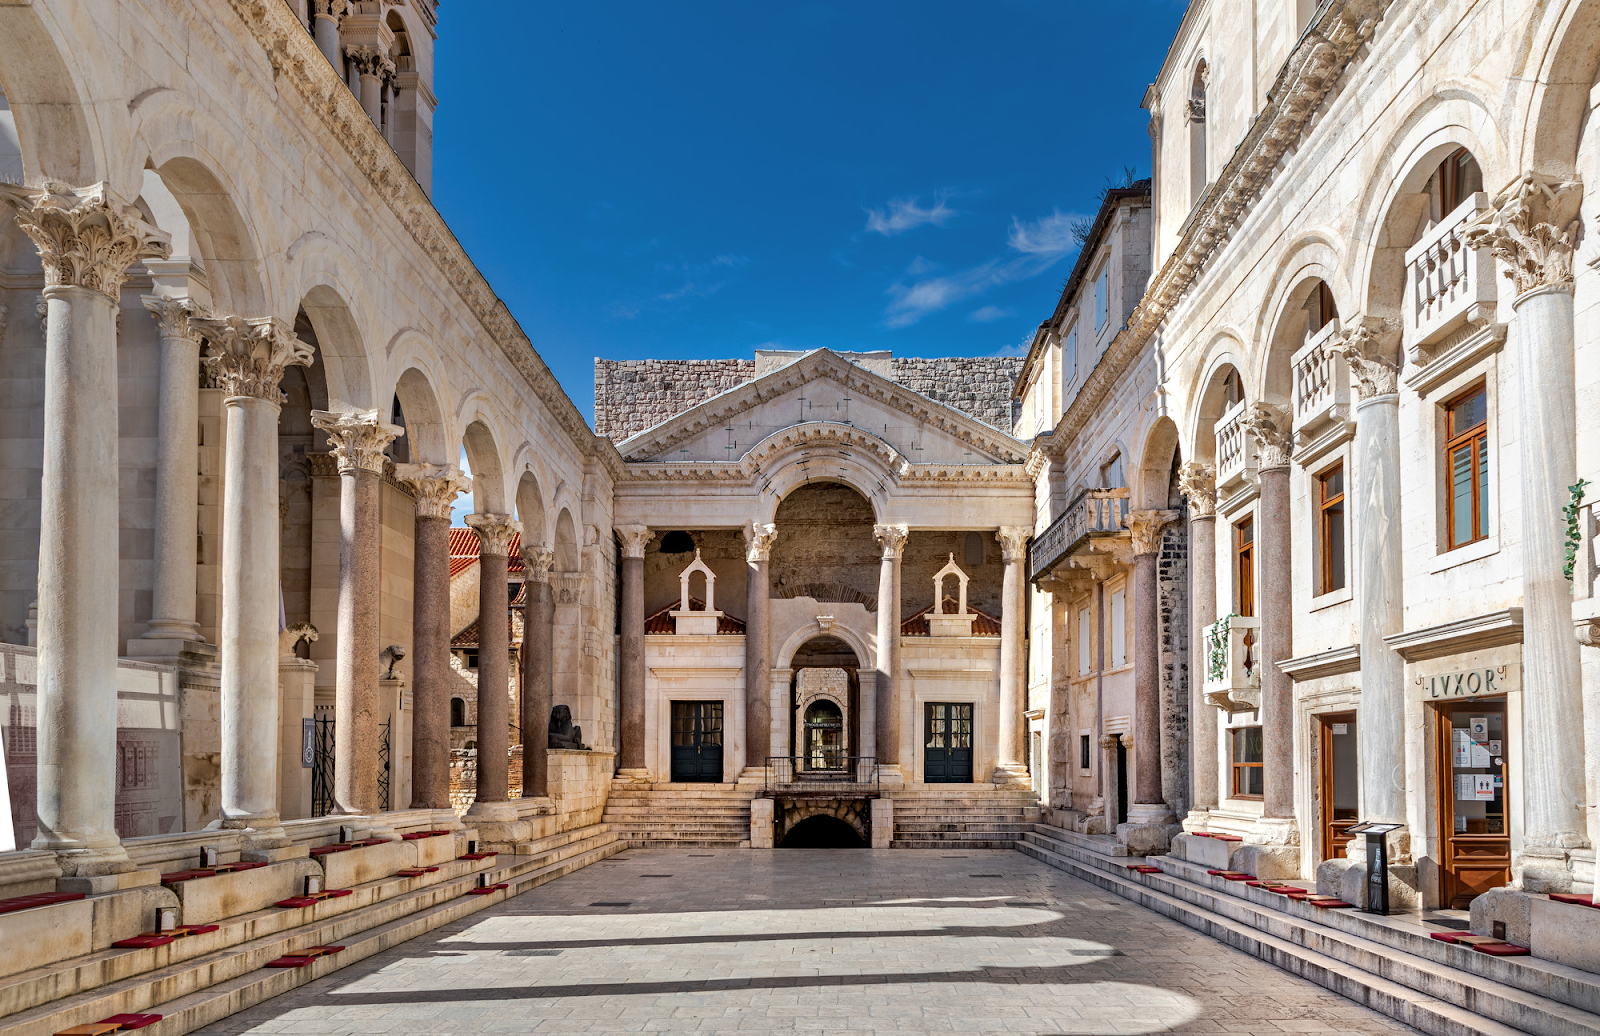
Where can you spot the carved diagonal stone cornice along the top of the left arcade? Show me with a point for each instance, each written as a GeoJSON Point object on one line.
{"type": "Point", "coordinates": [297, 60]}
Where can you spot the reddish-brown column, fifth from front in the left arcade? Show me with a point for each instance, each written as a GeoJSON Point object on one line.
{"type": "Point", "coordinates": [495, 535]}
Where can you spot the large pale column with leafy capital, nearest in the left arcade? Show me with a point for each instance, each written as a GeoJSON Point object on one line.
{"type": "Point", "coordinates": [87, 239]}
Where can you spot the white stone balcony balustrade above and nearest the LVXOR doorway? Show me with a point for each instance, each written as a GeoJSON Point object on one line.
{"type": "Point", "coordinates": [1446, 279]}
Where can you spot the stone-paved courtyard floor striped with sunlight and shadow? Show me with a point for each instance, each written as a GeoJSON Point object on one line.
{"type": "Point", "coordinates": [822, 941]}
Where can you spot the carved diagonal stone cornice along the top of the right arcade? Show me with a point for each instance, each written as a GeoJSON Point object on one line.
{"type": "Point", "coordinates": [1303, 86]}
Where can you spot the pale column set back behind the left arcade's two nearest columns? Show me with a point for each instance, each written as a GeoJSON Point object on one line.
{"type": "Point", "coordinates": [177, 472]}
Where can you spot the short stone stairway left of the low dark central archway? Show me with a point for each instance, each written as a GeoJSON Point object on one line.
{"type": "Point", "coordinates": [681, 816]}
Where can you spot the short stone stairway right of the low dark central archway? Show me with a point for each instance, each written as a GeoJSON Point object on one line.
{"type": "Point", "coordinates": [962, 818]}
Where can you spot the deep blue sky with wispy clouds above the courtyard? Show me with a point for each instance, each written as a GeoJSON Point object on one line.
{"type": "Point", "coordinates": [703, 180]}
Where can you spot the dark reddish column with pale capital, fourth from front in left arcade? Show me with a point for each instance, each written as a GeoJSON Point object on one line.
{"type": "Point", "coordinates": [436, 488]}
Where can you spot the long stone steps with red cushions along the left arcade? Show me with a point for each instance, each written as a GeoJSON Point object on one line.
{"type": "Point", "coordinates": [207, 978]}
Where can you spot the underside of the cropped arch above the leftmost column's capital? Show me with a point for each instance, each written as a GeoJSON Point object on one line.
{"type": "Point", "coordinates": [44, 98]}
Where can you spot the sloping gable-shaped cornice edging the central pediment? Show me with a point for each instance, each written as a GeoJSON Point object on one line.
{"type": "Point", "coordinates": [823, 364]}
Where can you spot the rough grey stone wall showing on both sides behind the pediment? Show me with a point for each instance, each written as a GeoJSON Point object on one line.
{"type": "Point", "coordinates": [633, 396]}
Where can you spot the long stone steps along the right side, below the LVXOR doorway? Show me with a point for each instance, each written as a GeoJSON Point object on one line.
{"type": "Point", "coordinates": [1434, 987]}
